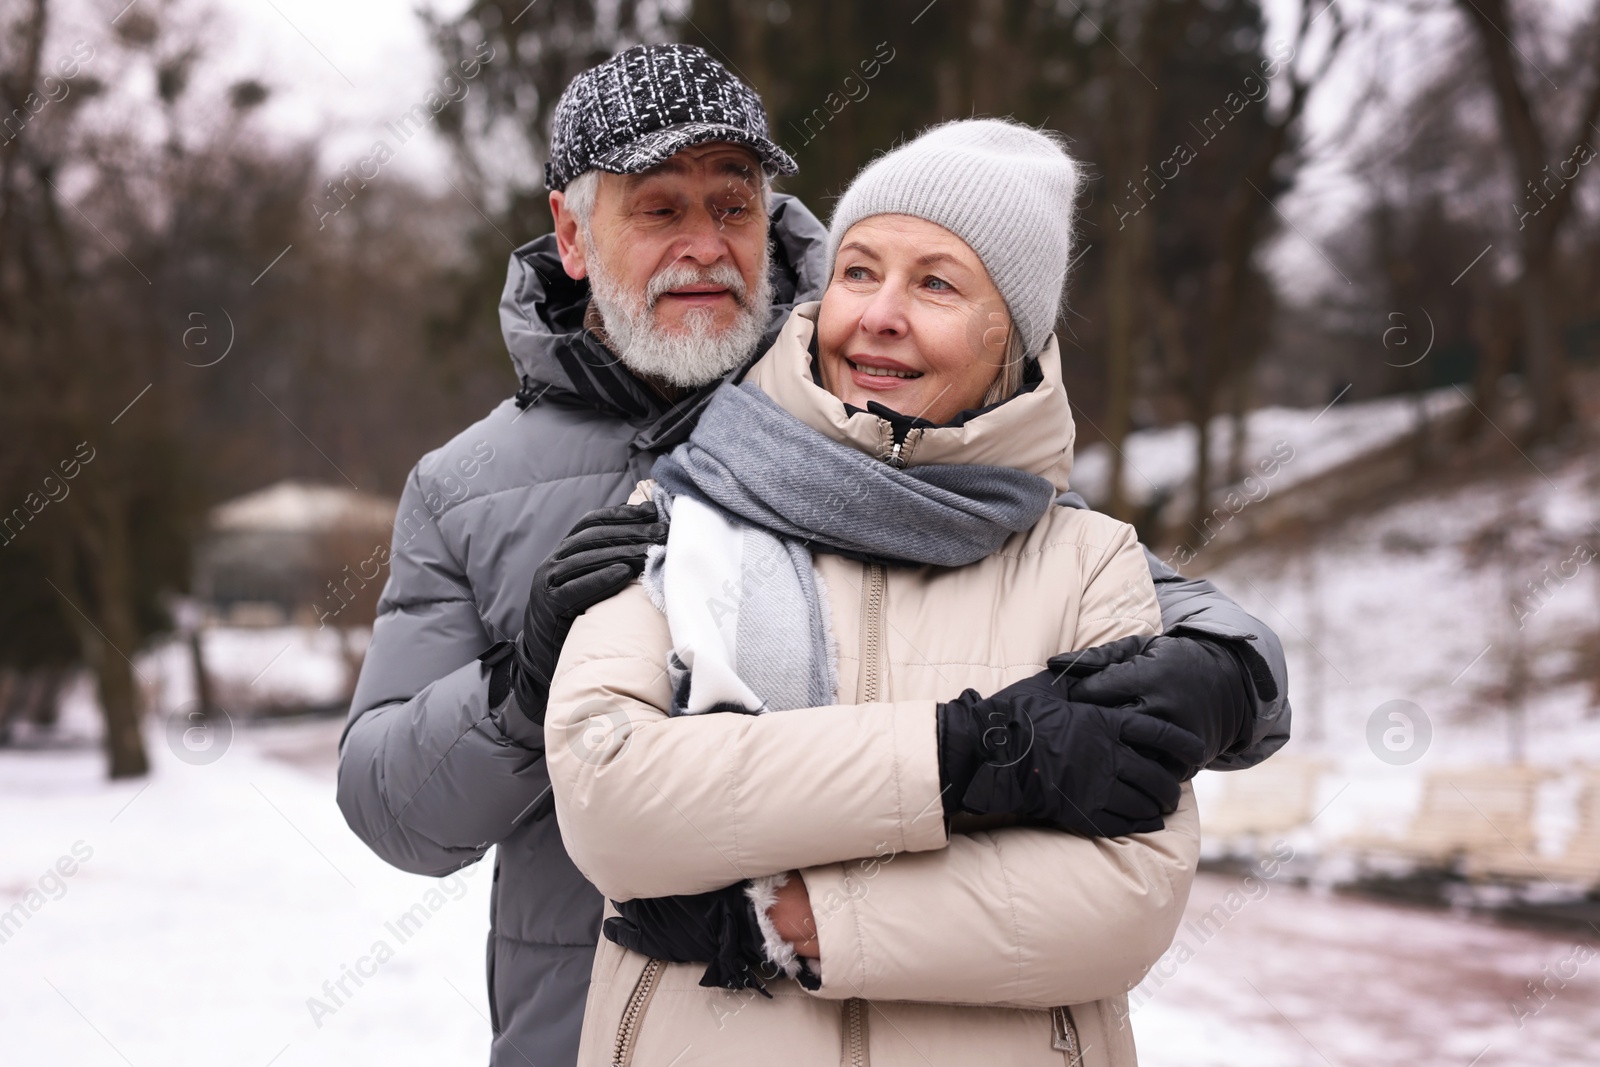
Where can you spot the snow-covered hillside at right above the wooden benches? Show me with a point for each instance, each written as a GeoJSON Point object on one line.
{"type": "Point", "coordinates": [1393, 607]}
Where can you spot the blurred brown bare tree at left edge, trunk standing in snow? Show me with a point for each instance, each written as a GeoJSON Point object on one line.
{"type": "Point", "coordinates": [97, 266]}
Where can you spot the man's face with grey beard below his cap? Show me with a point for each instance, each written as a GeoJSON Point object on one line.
{"type": "Point", "coordinates": [697, 222]}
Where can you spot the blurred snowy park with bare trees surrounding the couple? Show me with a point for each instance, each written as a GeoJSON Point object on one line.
{"type": "Point", "coordinates": [1334, 342]}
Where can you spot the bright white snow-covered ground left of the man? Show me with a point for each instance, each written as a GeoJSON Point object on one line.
{"type": "Point", "coordinates": [194, 919]}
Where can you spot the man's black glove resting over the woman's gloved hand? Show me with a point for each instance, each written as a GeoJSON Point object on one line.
{"type": "Point", "coordinates": [1198, 684]}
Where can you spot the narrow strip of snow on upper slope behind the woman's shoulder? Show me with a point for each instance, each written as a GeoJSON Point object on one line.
{"type": "Point", "coordinates": [1305, 442]}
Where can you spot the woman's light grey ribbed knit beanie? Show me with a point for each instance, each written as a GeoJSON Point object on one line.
{"type": "Point", "coordinates": [1002, 188]}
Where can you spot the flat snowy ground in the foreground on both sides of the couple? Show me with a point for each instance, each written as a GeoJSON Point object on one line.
{"type": "Point", "coordinates": [209, 909]}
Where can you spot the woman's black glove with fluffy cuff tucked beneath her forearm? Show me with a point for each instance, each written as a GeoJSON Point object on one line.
{"type": "Point", "coordinates": [718, 929]}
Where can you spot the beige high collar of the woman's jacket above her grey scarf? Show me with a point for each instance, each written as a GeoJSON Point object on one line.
{"type": "Point", "coordinates": [1033, 431]}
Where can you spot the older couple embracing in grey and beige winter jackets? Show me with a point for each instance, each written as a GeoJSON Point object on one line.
{"type": "Point", "coordinates": [831, 716]}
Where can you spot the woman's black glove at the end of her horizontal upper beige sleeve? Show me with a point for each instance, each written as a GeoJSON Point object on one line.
{"type": "Point", "coordinates": [1031, 753]}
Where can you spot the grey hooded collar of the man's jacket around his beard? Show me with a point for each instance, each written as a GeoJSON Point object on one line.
{"type": "Point", "coordinates": [558, 358]}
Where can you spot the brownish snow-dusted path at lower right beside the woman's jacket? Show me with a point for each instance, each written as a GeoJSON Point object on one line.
{"type": "Point", "coordinates": [1298, 978]}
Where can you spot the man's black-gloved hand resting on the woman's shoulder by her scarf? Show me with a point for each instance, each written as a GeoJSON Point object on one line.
{"type": "Point", "coordinates": [594, 562]}
